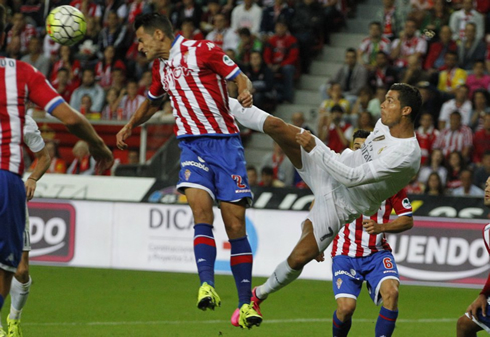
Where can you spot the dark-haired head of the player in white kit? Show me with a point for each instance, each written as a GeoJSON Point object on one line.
{"type": "Point", "coordinates": [402, 101]}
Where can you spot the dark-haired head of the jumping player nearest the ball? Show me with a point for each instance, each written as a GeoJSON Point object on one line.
{"type": "Point", "coordinates": [155, 35]}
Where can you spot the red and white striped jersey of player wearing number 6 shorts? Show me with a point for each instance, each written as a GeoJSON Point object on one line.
{"type": "Point", "coordinates": [352, 240]}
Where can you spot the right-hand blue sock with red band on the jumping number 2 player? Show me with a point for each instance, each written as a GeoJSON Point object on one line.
{"type": "Point", "coordinates": [241, 267]}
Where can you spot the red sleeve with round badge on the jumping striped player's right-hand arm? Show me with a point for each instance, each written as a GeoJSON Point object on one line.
{"type": "Point", "coordinates": [216, 59]}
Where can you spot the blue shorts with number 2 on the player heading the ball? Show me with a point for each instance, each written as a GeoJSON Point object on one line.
{"type": "Point", "coordinates": [216, 165]}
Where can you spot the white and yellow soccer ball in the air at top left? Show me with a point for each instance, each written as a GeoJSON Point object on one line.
{"type": "Point", "coordinates": [66, 25]}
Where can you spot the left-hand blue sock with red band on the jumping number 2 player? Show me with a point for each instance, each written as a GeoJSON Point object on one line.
{"type": "Point", "coordinates": [205, 252]}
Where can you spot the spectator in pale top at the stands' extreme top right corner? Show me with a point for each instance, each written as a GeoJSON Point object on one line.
{"type": "Point", "coordinates": [460, 18]}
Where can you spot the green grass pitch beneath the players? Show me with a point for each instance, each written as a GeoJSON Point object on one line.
{"type": "Point", "coordinates": [99, 302]}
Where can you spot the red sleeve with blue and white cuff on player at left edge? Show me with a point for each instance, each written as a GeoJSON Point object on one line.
{"type": "Point", "coordinates": [40, 91]}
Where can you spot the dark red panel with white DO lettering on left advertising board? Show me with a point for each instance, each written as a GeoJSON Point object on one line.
{"type": "Point", "coordinates": [52, 227]}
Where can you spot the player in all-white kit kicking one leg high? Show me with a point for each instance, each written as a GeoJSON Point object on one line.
{"type": "Point", "coordinates": [347, 185]}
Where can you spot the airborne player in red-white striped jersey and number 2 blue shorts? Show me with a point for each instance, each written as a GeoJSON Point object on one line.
{"type": "Point", "coordinates": [194, 74]}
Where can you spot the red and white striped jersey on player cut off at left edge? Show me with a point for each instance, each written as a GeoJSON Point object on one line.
{"type": "Point", "coordinates": [20, 82]}
